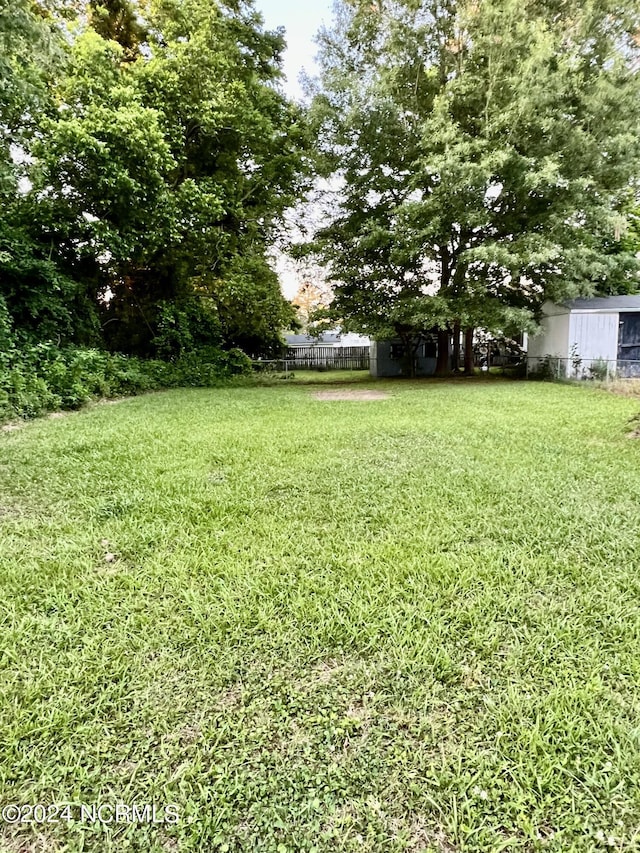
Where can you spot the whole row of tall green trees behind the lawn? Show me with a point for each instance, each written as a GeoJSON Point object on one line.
{"type": "Point", "coordinates": [485, 155]}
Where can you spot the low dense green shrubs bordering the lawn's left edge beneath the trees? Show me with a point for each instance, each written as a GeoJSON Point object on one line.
{"type": "Point", "coordinates": [40, 378]}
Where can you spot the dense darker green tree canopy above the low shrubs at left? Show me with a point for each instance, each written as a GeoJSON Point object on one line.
{"type": "Point", "coordinates": [159, 151]}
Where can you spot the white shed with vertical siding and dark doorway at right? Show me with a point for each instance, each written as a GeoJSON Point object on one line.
{"type": "Point", "coordinates": [589, 337]}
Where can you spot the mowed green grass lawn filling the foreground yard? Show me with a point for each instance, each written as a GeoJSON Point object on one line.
{"type": "Point", "coordinates": [410, 624]}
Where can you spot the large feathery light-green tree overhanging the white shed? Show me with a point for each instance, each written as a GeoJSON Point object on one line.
{"type": "Point", "coordinates": [486, 151]}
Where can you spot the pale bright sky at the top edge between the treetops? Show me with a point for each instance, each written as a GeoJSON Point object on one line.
{"type": "Point", "coordinates": [301, 19]}
